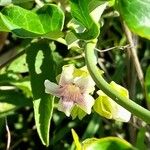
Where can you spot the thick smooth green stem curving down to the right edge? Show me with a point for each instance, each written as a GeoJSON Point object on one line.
{"type": "Point", "coordinates": [131, 106]}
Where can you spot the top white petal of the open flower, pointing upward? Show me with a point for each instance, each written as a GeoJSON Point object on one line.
{"type": "Point", "coordinates": [67, 74]}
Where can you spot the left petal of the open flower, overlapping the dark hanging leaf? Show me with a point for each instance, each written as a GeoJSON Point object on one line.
{"type": "Point", "coordinates": [51, 88]}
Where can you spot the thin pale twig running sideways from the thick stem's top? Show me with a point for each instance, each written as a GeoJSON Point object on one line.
{"type": "Point", "coordinates": [115, 47]}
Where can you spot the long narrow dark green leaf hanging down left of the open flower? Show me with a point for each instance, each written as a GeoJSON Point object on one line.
{"type": "Point", "coordinates": [41, 67]}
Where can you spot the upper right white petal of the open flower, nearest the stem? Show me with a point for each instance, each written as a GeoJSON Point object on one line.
{"type": "Point", "coordinates": [85, 83]}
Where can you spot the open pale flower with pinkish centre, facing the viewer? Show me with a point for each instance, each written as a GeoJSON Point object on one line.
{"type": "Point", "coordinates": [73, 89]}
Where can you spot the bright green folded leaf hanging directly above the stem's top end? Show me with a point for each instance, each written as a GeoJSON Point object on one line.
{"type": "Point", "coordinates": [80, 11]}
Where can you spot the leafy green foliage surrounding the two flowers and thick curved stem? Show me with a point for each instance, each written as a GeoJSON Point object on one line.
{"type": "Point", "coordinates": [37, 38]}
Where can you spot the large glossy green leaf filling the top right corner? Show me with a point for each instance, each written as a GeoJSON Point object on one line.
{"type": "Point", "coordinates": [136, 14]}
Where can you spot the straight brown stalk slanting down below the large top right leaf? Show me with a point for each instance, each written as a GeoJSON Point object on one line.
{"type": "Point", "coordinates": [134, 55]}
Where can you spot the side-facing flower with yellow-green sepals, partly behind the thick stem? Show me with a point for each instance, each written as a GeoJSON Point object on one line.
{"type": "Point", "coordinates": [108, 108]}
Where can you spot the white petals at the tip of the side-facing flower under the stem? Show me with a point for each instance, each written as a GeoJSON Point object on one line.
{"type": "Point", "coordinates": [122, 114]}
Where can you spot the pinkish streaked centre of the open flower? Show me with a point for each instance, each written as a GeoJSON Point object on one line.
{"type": "Point", "coordinates": [70, 92]}
